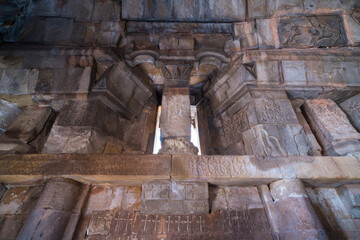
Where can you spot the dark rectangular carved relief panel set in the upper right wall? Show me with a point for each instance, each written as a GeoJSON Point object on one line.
{"type": "Point", "coordinates": [320, 31]}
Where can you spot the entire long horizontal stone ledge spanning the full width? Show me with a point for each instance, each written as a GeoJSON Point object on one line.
{"type": "Point", "coordinates": [218, 170]}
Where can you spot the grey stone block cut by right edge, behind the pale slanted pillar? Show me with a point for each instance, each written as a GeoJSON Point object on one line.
{"type": "Point", "coordinates": [352, 109]}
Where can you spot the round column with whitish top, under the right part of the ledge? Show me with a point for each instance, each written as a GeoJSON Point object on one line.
{"type": "Point", "coordinates": [295, 212]}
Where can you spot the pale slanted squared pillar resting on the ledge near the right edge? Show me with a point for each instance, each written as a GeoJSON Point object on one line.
{"type": "Point", "coordinates": [332, 128]}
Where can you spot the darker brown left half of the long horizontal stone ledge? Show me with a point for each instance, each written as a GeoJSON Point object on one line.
{"type": "Point", "coordinates": [84, 167]}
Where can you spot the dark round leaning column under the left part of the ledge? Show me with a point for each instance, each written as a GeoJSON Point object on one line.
{"type": "Point", "coordinates": [50, 217]}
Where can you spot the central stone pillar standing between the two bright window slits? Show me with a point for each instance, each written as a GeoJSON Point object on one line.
{"type": "Point", "coordinates": [175, 122]}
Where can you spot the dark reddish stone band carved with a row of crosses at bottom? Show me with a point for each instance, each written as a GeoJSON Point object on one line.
{"type": "Point", "coordinates": [122, 224]}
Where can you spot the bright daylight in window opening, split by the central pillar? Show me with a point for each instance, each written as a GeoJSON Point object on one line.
{"type": "Point", "coordinates": [194, 131]}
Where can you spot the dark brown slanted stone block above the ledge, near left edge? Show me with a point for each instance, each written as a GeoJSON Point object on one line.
{"type": "Point", "coordinates": [28, 124]}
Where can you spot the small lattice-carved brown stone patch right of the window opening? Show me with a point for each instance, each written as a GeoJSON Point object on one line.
{"type": "Point", "coordinates": [235, 125]}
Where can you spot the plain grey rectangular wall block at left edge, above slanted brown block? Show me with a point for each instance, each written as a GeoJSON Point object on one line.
{"type": "Point", "coordinates": [18, 81]}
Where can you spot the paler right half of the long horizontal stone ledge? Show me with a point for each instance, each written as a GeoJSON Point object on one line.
{"type": "Point", "coordinates": [251, 170]}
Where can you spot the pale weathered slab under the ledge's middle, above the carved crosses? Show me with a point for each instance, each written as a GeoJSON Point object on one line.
{"type": "Point", "coordinates": [174, 197]}
